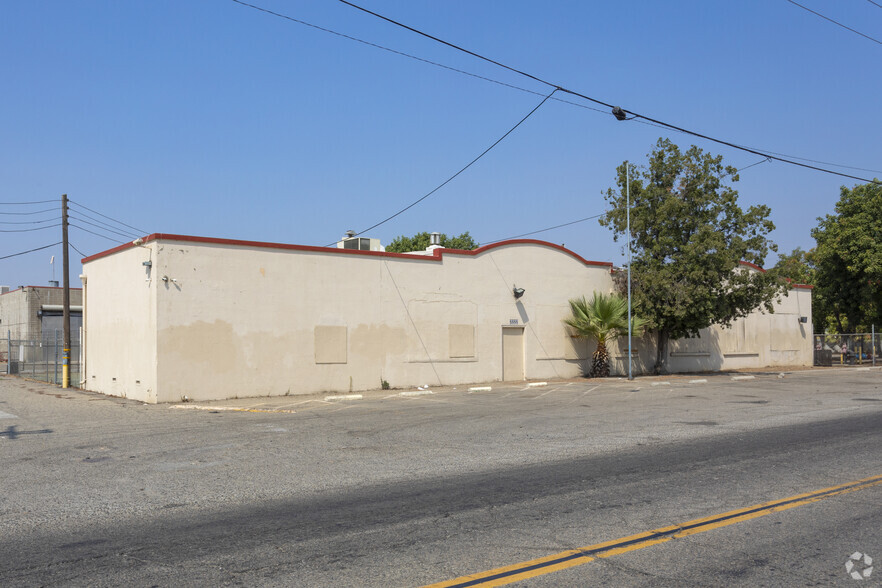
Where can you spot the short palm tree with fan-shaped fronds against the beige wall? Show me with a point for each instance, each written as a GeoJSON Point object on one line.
{"type": "Point", "coordinates": [602, 318]}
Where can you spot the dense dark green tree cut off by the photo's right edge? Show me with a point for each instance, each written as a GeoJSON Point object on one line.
{"type": "Point", "coordinates": [848, 258]}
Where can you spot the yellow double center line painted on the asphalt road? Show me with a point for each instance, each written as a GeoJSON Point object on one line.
{"type": "Point", "coordinates": [583, 555]}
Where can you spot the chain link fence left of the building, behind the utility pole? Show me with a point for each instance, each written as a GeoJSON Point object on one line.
{"type": "Point", "coordinates": [41, 359]}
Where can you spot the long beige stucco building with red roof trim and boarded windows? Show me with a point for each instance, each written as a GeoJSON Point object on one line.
{"type": "Point", "coordinates": [177, 316]}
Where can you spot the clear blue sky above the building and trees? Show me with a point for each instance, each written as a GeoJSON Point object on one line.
{"type": "Point", "coordinates": [210, 118]}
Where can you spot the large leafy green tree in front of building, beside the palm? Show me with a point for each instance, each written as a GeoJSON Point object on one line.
{"type": "Point", "coordinates": [688, 238]}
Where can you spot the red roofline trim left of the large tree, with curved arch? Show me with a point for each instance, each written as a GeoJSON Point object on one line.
{"type": "Point", "coordinates": [437, 255]}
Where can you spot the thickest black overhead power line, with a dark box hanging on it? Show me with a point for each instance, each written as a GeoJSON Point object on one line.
{"type": "Point", "coordinates": [619, 112]}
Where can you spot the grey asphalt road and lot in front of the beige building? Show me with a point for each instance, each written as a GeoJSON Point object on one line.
{"type": "Point", "coordinates": [409, 490]}
